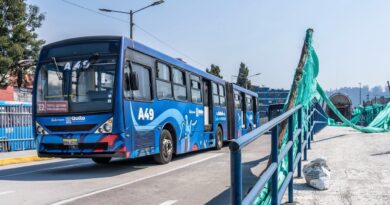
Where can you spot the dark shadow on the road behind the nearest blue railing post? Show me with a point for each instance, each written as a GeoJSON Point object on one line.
{"type": "Point", "coordinates": [249, 180]}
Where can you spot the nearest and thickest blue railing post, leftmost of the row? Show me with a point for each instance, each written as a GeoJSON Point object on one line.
{"type": "Point", "coordinates": [236, 177]}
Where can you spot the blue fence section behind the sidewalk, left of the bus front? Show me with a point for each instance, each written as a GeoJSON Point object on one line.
{"type": "Point", "coordinates": [16, 126]}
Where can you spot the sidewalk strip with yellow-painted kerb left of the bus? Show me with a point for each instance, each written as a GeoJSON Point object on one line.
{"type": "Point", "coordinates": [17, 157]}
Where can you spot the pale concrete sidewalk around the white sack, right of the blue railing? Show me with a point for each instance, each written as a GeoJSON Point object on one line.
{"type": "Point", "coordinates": [360, 168]}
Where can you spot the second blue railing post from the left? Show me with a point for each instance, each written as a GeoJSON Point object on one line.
{"type": "Point", "coordinates": [274, 155]}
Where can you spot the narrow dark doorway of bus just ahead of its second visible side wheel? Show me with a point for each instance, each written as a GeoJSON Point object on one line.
{"type": "Point", "coordinates": [207, 107]}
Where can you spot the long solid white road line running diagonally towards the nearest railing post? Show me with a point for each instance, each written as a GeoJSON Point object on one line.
{"type": "Point", "coordinates": [134, 181]}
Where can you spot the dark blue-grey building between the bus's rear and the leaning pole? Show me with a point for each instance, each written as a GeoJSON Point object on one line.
{"type": "Point", "coordinates": [269, 96]}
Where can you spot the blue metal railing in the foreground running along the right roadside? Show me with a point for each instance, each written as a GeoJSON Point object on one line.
{"type": "Point", "coordinates": [315, 120]}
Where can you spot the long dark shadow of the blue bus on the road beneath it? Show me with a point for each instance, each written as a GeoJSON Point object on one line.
{"type": "Point", "coordinates": [80, 169]}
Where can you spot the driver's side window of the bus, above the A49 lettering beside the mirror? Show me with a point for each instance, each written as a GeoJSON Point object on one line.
{"type": "Point", "coordinates": [144, 88]}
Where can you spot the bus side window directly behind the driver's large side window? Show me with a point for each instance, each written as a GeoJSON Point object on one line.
{"type": "Point", "coordinates": [163, 82]}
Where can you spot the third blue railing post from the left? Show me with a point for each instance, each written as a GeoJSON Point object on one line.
{"type": "Point", "coordinates": [291, 158]}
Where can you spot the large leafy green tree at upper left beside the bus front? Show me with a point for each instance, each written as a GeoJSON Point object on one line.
{"type": "Point", "coordinates": [18, 39]}
